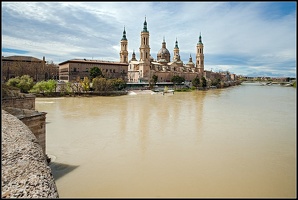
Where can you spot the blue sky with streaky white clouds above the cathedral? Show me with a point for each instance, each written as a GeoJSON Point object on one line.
{"type": "Point", "coordinates": [245, 38]}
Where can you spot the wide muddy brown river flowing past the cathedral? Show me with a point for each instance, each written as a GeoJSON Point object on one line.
{"type": "Point", "coordinates": [233, 142]}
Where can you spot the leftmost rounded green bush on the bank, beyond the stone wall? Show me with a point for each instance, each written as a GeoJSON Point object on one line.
{"type": "Point", "coordinates": [24, 83]}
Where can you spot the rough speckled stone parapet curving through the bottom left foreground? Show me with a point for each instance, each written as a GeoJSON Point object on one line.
{"type": "Point", "coordinates": [25, 172]}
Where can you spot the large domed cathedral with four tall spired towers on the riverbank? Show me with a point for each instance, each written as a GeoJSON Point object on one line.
{"type": "Point", "coordinates": [163, 67]}
